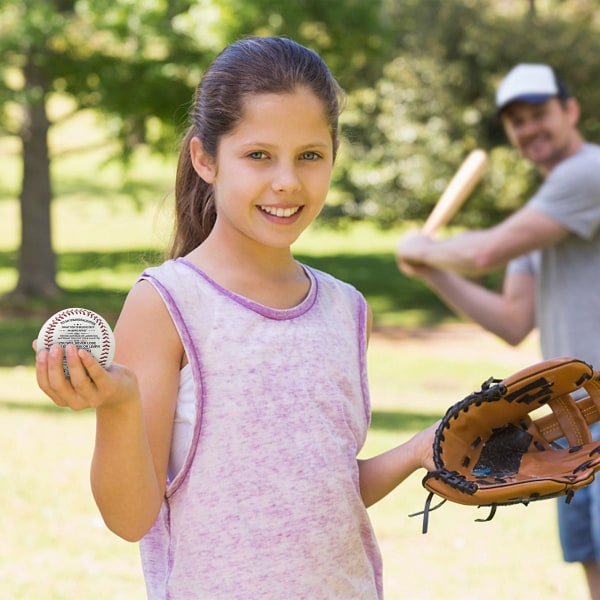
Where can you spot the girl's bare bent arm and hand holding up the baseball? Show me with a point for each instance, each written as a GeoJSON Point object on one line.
{"type": "Point", "coordinates": [134, 406]}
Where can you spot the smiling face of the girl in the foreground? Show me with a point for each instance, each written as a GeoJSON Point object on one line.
{"type": "Point", "coordinates": [273, 171]}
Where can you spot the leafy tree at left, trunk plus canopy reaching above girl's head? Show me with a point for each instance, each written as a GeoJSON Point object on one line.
{"type": "Point", "coordinates": [136, 62]}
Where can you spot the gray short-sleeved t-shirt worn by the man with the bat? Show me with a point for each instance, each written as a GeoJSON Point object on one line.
{"type": "Point", "coordinates": [568, 273]}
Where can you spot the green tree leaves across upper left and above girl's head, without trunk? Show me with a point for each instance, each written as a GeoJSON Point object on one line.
{"type": "Point", "coordinates": [138, 62]}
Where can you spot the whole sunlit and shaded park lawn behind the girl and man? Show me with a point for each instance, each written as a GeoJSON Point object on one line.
{"type": "Point", "coordinates": [53, 544]}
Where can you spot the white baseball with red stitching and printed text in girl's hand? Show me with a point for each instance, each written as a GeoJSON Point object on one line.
{"type": "Point", "coordinates": [82, 327]}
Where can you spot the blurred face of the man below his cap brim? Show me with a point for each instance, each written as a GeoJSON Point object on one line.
{"type": "Point", "coordinates": [544, 133]}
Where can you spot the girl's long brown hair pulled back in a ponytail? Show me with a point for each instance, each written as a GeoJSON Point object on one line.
{"type": "Point", "coordinates": [253, 65]}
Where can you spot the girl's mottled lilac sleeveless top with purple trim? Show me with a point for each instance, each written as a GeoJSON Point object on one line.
{"type": "Point", "coordinates": [267, 503]}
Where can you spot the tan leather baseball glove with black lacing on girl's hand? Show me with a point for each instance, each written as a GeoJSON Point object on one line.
{"type": "Point", "coordinates": [489, 449]}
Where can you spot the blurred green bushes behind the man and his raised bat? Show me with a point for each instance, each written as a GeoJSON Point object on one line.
{"type": "Point", "coordinates": [435, 102]}
